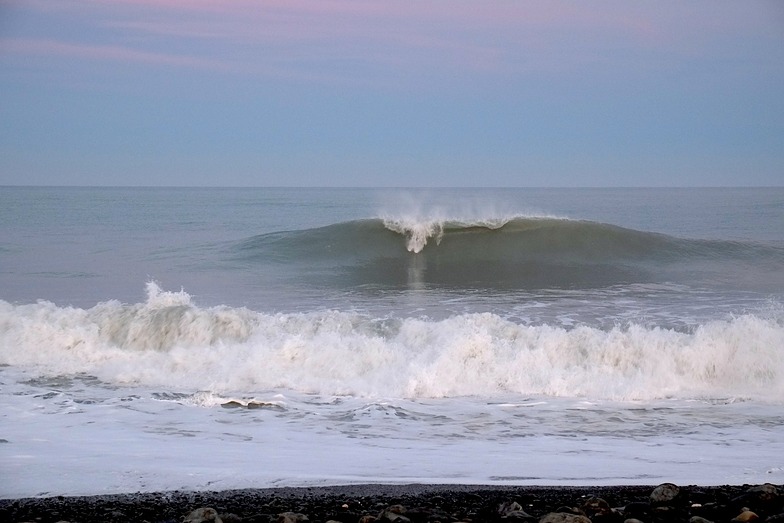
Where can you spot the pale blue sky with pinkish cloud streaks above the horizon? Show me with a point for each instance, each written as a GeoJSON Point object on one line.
{"type": "Point", "coordinates": [392, 93]}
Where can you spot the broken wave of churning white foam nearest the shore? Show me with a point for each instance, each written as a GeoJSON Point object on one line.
{"type": "Point", "coordinates": [168, 341]}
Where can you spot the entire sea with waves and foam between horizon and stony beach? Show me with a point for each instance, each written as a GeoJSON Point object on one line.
{"type": "Point", "coordinates": [173, 338]}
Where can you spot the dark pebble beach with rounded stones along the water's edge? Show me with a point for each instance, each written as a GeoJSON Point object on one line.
{"type": "Point", "coordinates": [414, 503]}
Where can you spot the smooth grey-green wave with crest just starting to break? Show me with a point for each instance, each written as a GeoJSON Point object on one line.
{"type": "Point", "coordinates": [517, 252]}
